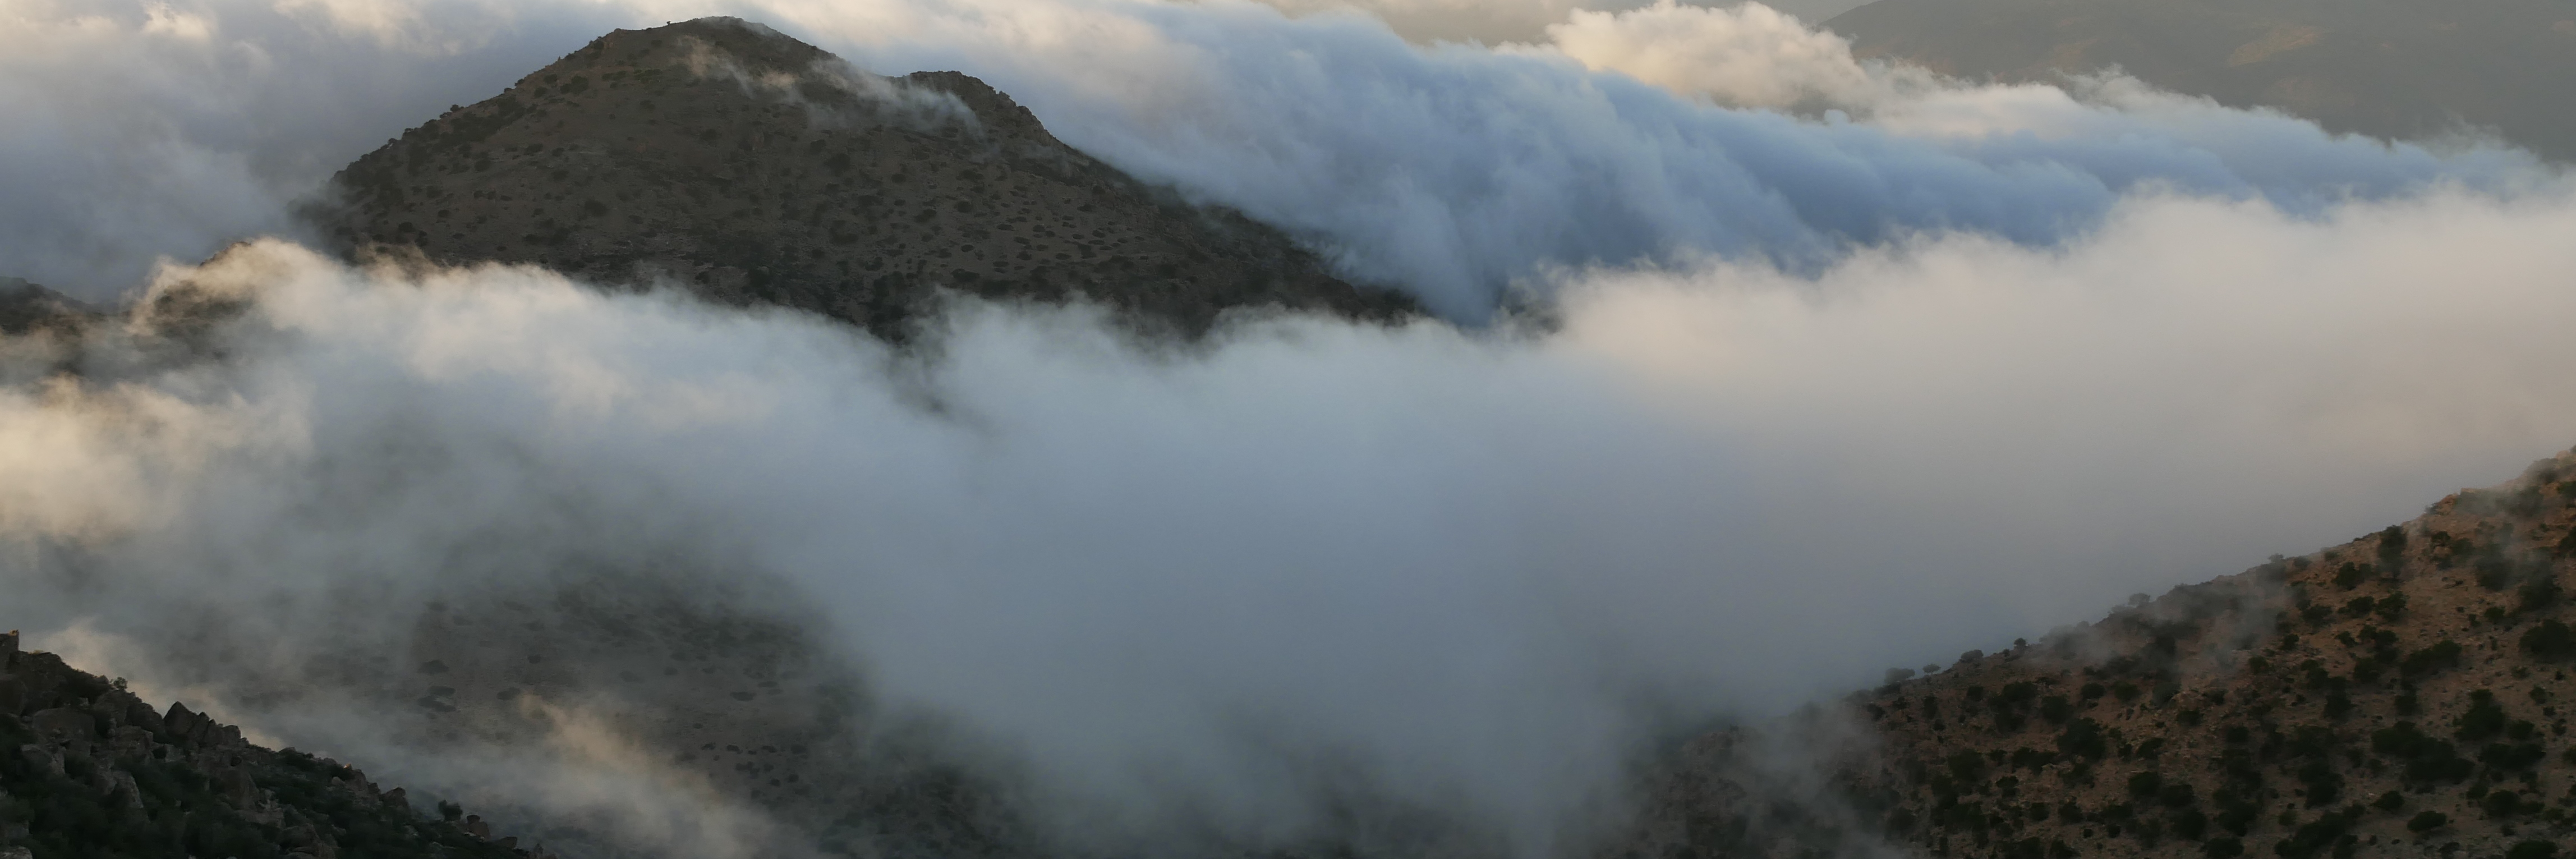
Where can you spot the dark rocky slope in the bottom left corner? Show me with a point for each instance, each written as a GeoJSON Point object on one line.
{"type": "Point", "coordinates": [94, 773]}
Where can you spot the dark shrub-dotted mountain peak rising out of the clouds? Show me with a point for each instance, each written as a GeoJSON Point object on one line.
{"type": "Point", "coordinates": [759, 169]}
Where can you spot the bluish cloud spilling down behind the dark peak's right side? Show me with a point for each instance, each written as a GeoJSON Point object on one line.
{"type": "Point", "coordinates": [1459, 172]}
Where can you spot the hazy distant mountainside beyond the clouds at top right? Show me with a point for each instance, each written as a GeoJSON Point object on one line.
{"type": "Point", "coordinates": [2389, 68]}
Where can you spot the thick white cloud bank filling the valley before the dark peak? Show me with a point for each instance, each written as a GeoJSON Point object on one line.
{"type": "Point", "coordinates": [1480, 566]}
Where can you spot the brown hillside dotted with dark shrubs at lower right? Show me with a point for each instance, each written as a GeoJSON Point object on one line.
{"type": "Point", "coordinates": [2400, 695]}
